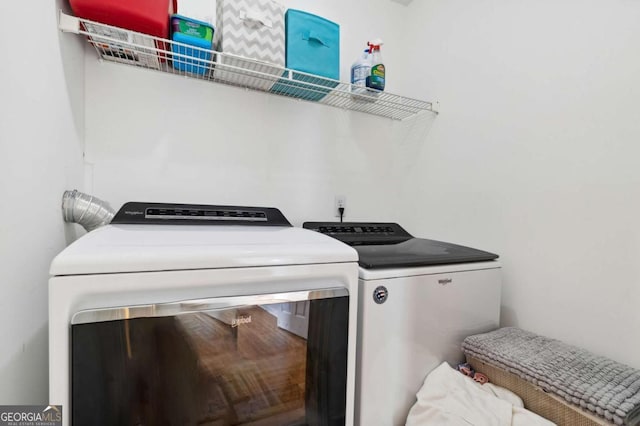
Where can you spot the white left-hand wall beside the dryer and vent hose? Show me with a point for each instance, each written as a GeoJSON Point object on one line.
{"type": "Point", "coordinates": [41, 126]}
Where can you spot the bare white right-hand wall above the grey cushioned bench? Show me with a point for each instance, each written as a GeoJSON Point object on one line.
{"type": "Point", "coordinates": [535, 156]}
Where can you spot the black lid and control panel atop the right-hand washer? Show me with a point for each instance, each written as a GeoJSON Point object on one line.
{"type": "Point", "coordinates": [388, 245]}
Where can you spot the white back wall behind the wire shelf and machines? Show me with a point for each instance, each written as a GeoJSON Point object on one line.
{"type": "Point", "coordinates": [165, 138]}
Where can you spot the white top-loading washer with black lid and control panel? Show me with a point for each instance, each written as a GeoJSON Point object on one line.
{"type": "Point", "coordinates": [418, 300]}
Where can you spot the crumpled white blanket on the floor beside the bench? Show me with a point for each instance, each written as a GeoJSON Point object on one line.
{"type": "Point", "coordinates": [448, 398]}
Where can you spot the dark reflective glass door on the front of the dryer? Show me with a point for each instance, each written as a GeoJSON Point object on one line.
{"type": "Point", "coordinates": [278, 359]}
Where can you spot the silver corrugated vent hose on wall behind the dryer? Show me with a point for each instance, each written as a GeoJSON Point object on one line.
{"type": "Point", "coordinates": [86, 210]}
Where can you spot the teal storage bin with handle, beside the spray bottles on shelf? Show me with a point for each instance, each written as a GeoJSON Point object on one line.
{"type": "Point", "coordinates": [313, 47]}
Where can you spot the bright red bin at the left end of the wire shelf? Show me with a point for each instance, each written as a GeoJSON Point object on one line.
{"type": "Point", "coordinates": [144, 16]}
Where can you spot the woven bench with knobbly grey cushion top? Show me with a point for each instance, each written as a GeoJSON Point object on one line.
{"type": "Point", "coordinates": [563, 383]}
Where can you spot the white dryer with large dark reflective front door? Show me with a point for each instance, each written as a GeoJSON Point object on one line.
{"type": "Point", "coordinates": [192, 314]}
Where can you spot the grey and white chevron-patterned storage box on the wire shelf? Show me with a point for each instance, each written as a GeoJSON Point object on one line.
{"type": "Point", "coordinates": [251, 29]}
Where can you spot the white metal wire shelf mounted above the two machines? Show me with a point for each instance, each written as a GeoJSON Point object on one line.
{"type": "Point", "coordinates": [145, 51]}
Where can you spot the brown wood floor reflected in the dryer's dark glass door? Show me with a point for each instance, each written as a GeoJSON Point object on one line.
{"type": "Point", "coordinates": [252, 374]}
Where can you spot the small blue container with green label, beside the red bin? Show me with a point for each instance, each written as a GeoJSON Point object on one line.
{"type": "Point", "coordinates": [196, 33]}
